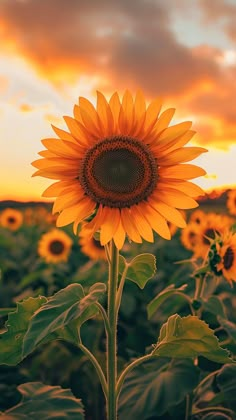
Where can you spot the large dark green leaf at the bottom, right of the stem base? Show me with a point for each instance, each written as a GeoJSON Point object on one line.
{"type": "Point", "coordinates": [153, 387]}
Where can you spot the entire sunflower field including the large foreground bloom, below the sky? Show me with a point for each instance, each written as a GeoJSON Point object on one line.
{"type": "Point", "coordinates": [118, 302]}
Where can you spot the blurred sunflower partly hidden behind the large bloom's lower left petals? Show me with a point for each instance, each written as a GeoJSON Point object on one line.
{"type": "Point", "coordinates": [91, 246]}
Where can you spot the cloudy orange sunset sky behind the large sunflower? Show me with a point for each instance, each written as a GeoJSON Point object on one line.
{"type": "Point", "coordinates": [53, 51]}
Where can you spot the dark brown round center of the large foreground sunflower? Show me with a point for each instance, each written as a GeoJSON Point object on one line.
{"type": "Point", "coordinates": [118, 172]}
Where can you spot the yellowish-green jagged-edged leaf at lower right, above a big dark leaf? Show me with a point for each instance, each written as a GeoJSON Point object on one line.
{"type": "Point", "coordinates": [189, 337]}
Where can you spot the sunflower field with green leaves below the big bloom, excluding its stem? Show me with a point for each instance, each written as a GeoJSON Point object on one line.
{"type": "Point", "coordinates": [180, 288]}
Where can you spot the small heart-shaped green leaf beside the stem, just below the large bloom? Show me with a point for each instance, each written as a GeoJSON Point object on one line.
{"type": "Point", "coordinates": [141, 269]}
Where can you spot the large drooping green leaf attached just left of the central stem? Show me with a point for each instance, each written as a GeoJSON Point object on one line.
{"type": "Point", "coordinates": [65, 307]}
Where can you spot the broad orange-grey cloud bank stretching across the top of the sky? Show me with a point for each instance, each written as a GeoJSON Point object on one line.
{"type": "Point", "coordinates": [129, 43]}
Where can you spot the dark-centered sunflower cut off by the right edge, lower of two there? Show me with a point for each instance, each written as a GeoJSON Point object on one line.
{"type": "Point", "coordinates": [222, 256]}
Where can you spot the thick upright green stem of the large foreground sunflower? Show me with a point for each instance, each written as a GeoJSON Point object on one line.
{"type": "Point", "coordinates": [111, 335]}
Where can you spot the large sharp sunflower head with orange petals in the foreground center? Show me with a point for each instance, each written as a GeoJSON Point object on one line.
{"type": "Point", "coordinates": [121, 167]}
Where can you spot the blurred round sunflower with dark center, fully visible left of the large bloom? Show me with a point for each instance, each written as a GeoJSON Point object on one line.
{"type": "Point", "coordinates": [54, 246]}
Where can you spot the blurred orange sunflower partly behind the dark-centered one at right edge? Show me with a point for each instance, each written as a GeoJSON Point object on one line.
{"type": "Point", "coordinates": [214, 225]}
